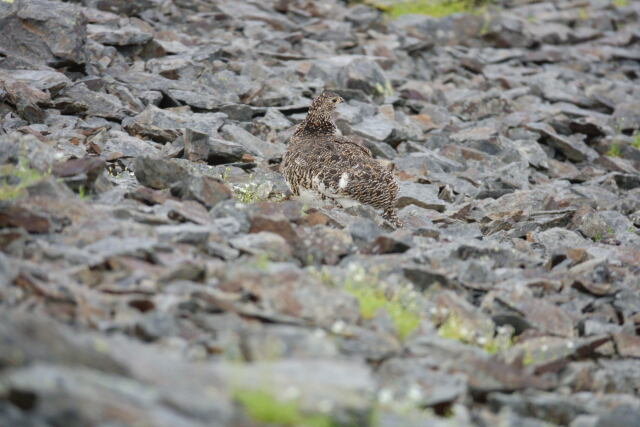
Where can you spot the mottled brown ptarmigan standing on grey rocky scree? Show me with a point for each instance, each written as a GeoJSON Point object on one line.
{"type": "Point", "coordinates": [318, 158]}
